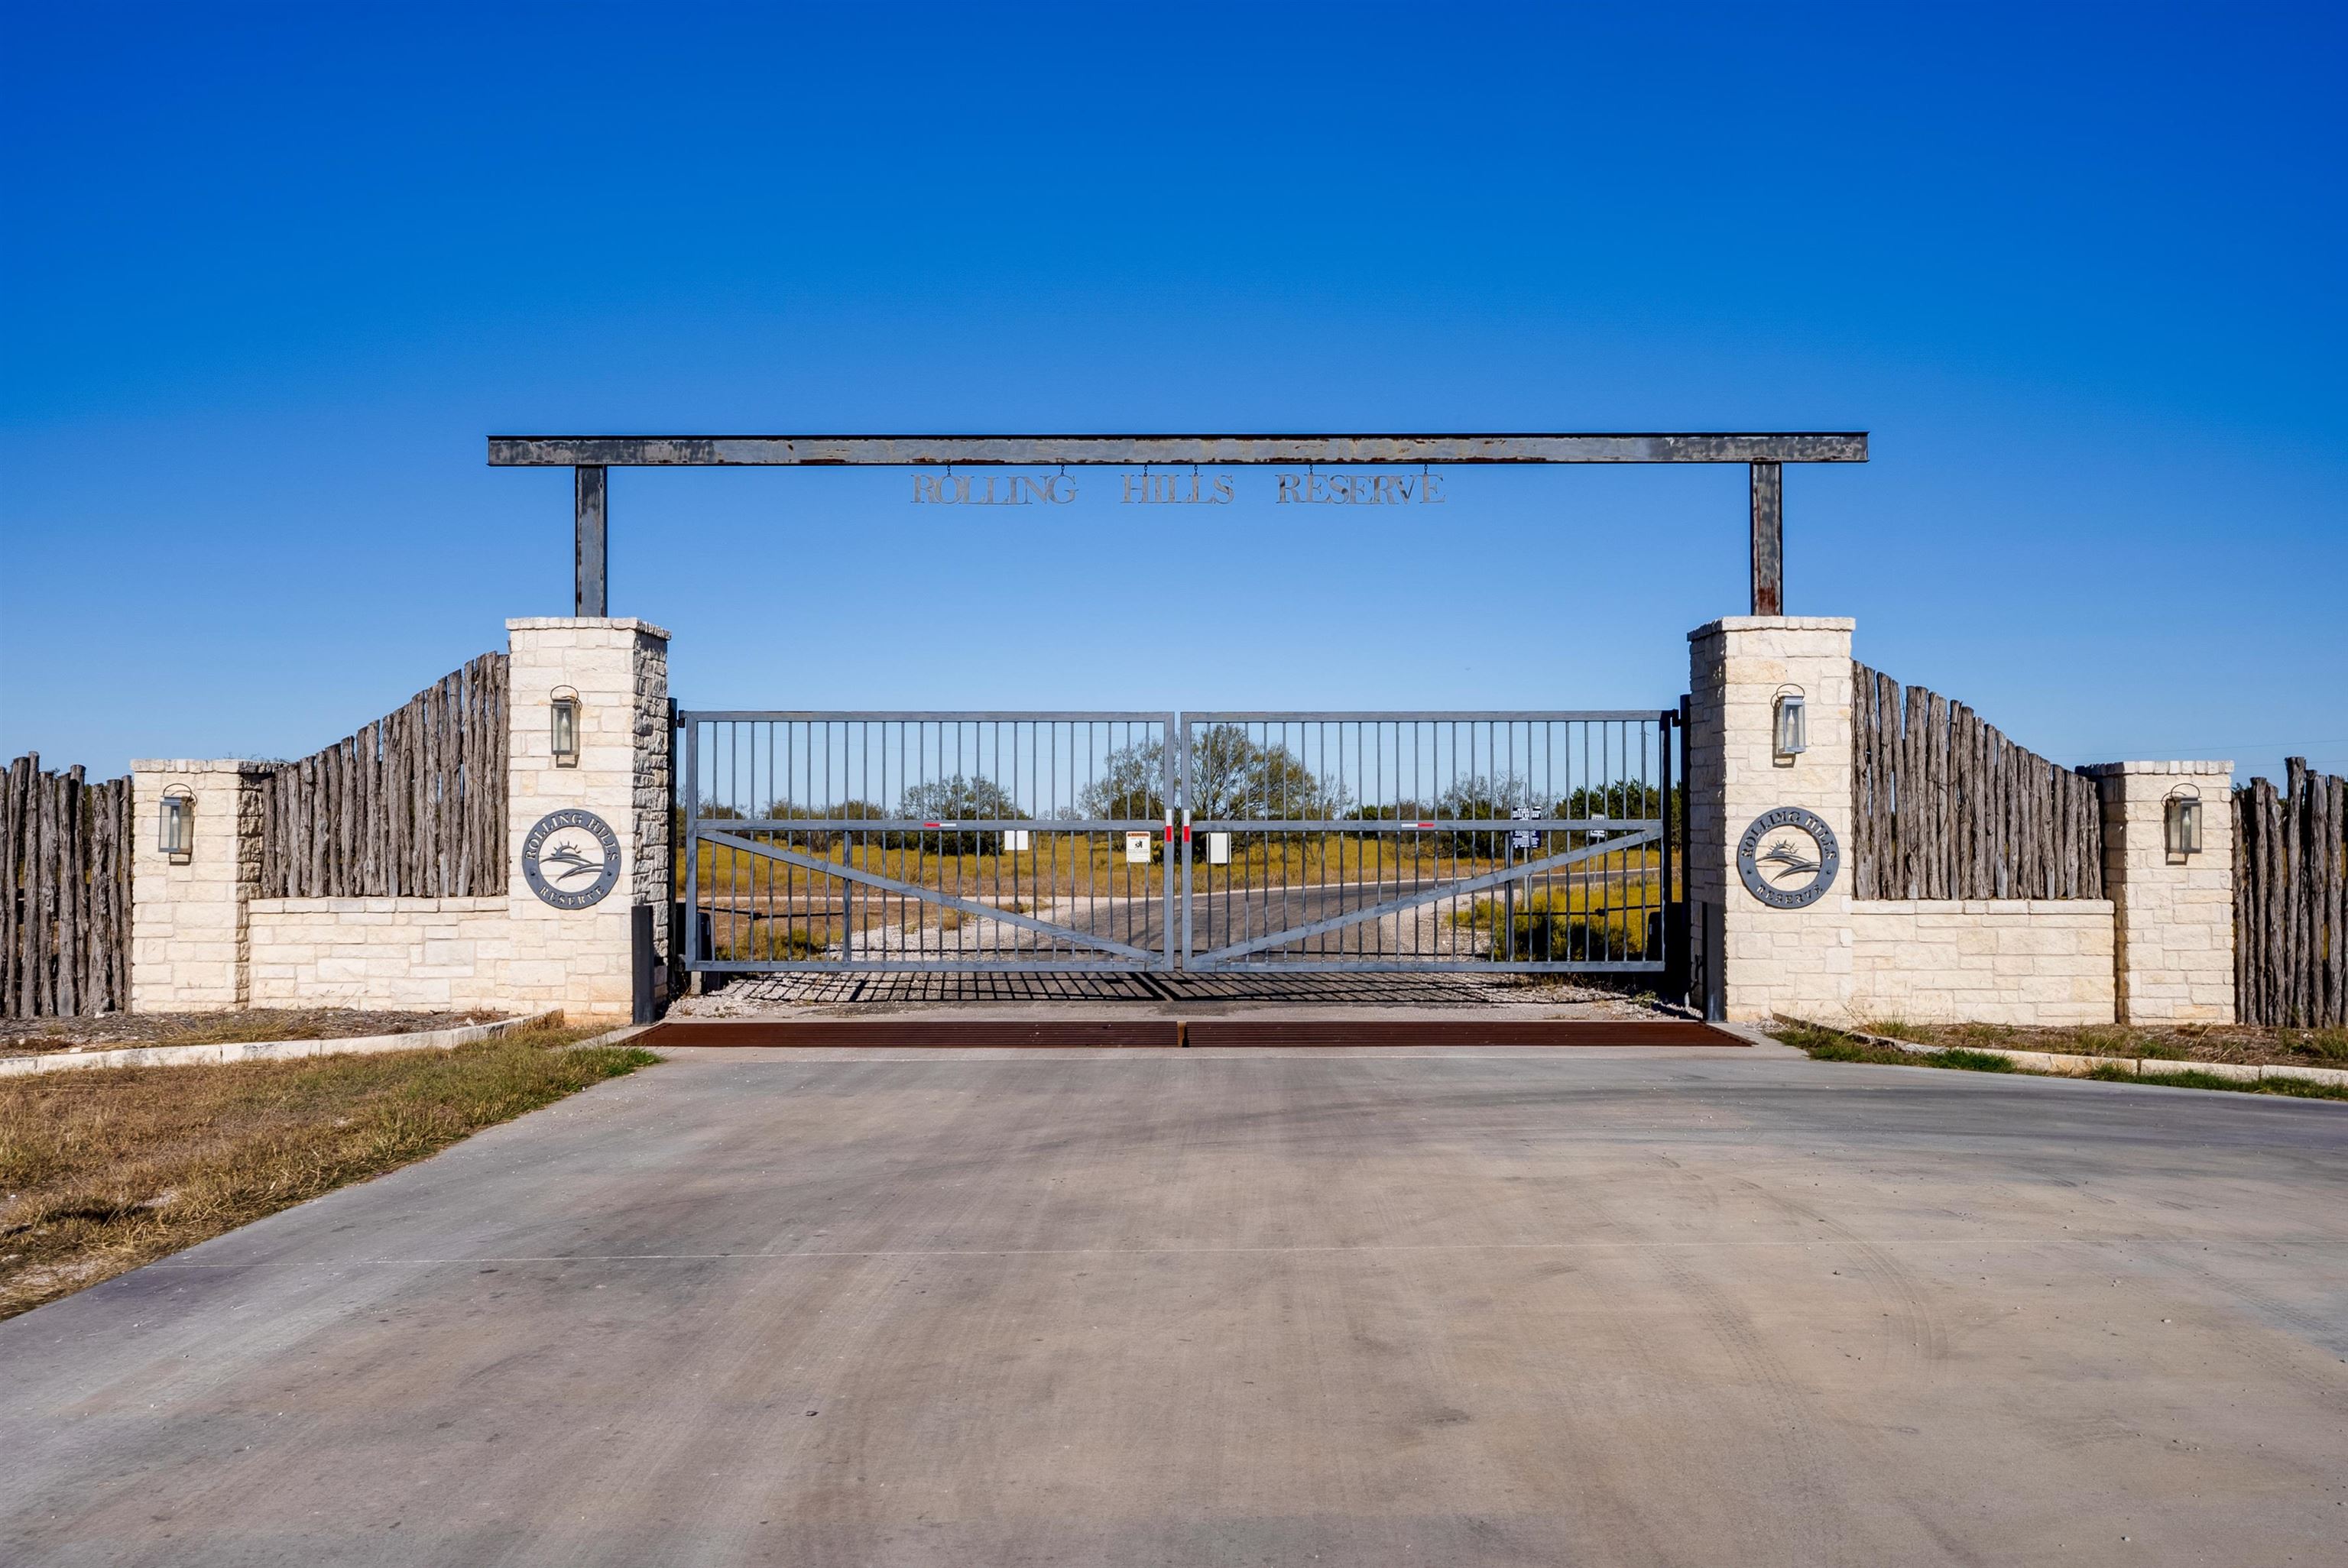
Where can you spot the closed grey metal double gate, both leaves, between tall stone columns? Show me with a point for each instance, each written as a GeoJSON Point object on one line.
{"type": "Point", "coordinates": [1210, 842]}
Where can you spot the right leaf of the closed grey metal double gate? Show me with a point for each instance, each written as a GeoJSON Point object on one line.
{"type": "Point", "coordinates": [1429, 842]}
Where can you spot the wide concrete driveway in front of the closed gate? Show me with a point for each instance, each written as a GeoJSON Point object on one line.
{"type": "Point", "coordinates": [1241, 1309]}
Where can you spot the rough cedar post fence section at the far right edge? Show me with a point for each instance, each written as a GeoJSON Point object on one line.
{"type": "Point", "coordinates": [2290, 900]}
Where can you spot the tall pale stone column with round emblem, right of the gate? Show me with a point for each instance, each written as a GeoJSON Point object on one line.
{"type": "Point", "coordinates": [1760, 957]}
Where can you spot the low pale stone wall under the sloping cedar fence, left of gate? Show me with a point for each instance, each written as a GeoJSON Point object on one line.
{"type": "Point", "coordinates": [389, 954]}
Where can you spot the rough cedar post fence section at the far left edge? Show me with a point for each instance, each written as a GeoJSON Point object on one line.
{"type": "Point", "coordinates": [65, 893]}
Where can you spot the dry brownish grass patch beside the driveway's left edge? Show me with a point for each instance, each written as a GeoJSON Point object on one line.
{"type": "Point", "coordinates": [107, 1170]}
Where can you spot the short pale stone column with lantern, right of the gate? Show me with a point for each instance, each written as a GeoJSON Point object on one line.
{"type": "Point", "coordinates": [2175, 912]}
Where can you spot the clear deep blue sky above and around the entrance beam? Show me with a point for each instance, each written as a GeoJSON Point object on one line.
{"type": "Point", "coordinates": [274, 273]}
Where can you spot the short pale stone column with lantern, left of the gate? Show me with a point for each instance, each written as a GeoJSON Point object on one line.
{"type": "Point", "coordinates": [191, 942]}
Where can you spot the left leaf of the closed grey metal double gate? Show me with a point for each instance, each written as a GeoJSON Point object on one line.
{"type": "Point", "coordinates": [926, 842]}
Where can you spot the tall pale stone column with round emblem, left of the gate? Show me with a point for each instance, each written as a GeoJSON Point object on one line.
{"type": "Point", "coordinates": [567, 954]}
